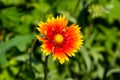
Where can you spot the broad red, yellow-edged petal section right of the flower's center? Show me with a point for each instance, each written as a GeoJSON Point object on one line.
{"type": "Point", "coordinates": [73, 40]}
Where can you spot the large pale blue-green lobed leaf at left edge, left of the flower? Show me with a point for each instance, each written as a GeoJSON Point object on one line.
{"type": "Point", "coordinates": [19, 41]}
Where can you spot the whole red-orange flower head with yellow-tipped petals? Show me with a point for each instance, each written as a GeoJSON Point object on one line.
{"type": "Point", "coordinates": [60, 40]}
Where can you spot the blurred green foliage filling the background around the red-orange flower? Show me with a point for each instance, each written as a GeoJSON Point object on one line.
{"type": "Point", "coordinates": [98, 59]}
